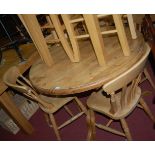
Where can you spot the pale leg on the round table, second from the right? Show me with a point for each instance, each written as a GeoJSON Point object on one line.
{"type": "Point", "coordinates": [121, 34]}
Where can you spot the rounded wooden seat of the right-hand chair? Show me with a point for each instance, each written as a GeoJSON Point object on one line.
{"type": "Point", "coordinates": [101, 103]}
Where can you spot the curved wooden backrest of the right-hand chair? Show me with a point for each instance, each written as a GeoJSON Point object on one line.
{"type": "Point", "coordinates": [130, 93]}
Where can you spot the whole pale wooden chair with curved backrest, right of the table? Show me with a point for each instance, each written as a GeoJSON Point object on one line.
{"type": "Point", "coordinates": [123, 96]}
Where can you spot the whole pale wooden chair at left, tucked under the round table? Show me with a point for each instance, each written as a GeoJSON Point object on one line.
{"type": "Point", "coordinates": [50, 105]}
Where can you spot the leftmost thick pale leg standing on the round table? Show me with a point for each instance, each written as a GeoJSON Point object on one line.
{"type": "Point", "coordinates": [31, 23]}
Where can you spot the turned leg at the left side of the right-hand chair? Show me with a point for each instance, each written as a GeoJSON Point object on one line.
{"type": "Point", "coordinates": [90, 119]}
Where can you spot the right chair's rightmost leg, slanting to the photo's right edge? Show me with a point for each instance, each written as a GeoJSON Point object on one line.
{"type": "Point", "coordinates": [147, 109]}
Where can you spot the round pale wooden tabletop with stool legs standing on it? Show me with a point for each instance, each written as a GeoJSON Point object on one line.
{"type": "Point", "coordinates": [66, 77]}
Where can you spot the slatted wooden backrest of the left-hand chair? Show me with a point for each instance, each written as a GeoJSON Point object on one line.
{"type": "Point", "coordinates": [14, 79]}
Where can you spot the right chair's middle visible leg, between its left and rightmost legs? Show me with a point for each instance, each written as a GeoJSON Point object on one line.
{"type": "Point", "coordinates": [126, 128]}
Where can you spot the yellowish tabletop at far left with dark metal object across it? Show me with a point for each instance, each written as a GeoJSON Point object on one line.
{"type": "Point", "coordinates": [11, 58]}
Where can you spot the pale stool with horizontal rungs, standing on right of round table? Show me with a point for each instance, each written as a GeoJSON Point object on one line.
{"type": "Point", "coordinates": [94, 31]}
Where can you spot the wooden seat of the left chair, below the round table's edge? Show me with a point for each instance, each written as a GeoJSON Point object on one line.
{"type": "Point", "coordinates": [57, 102]}
